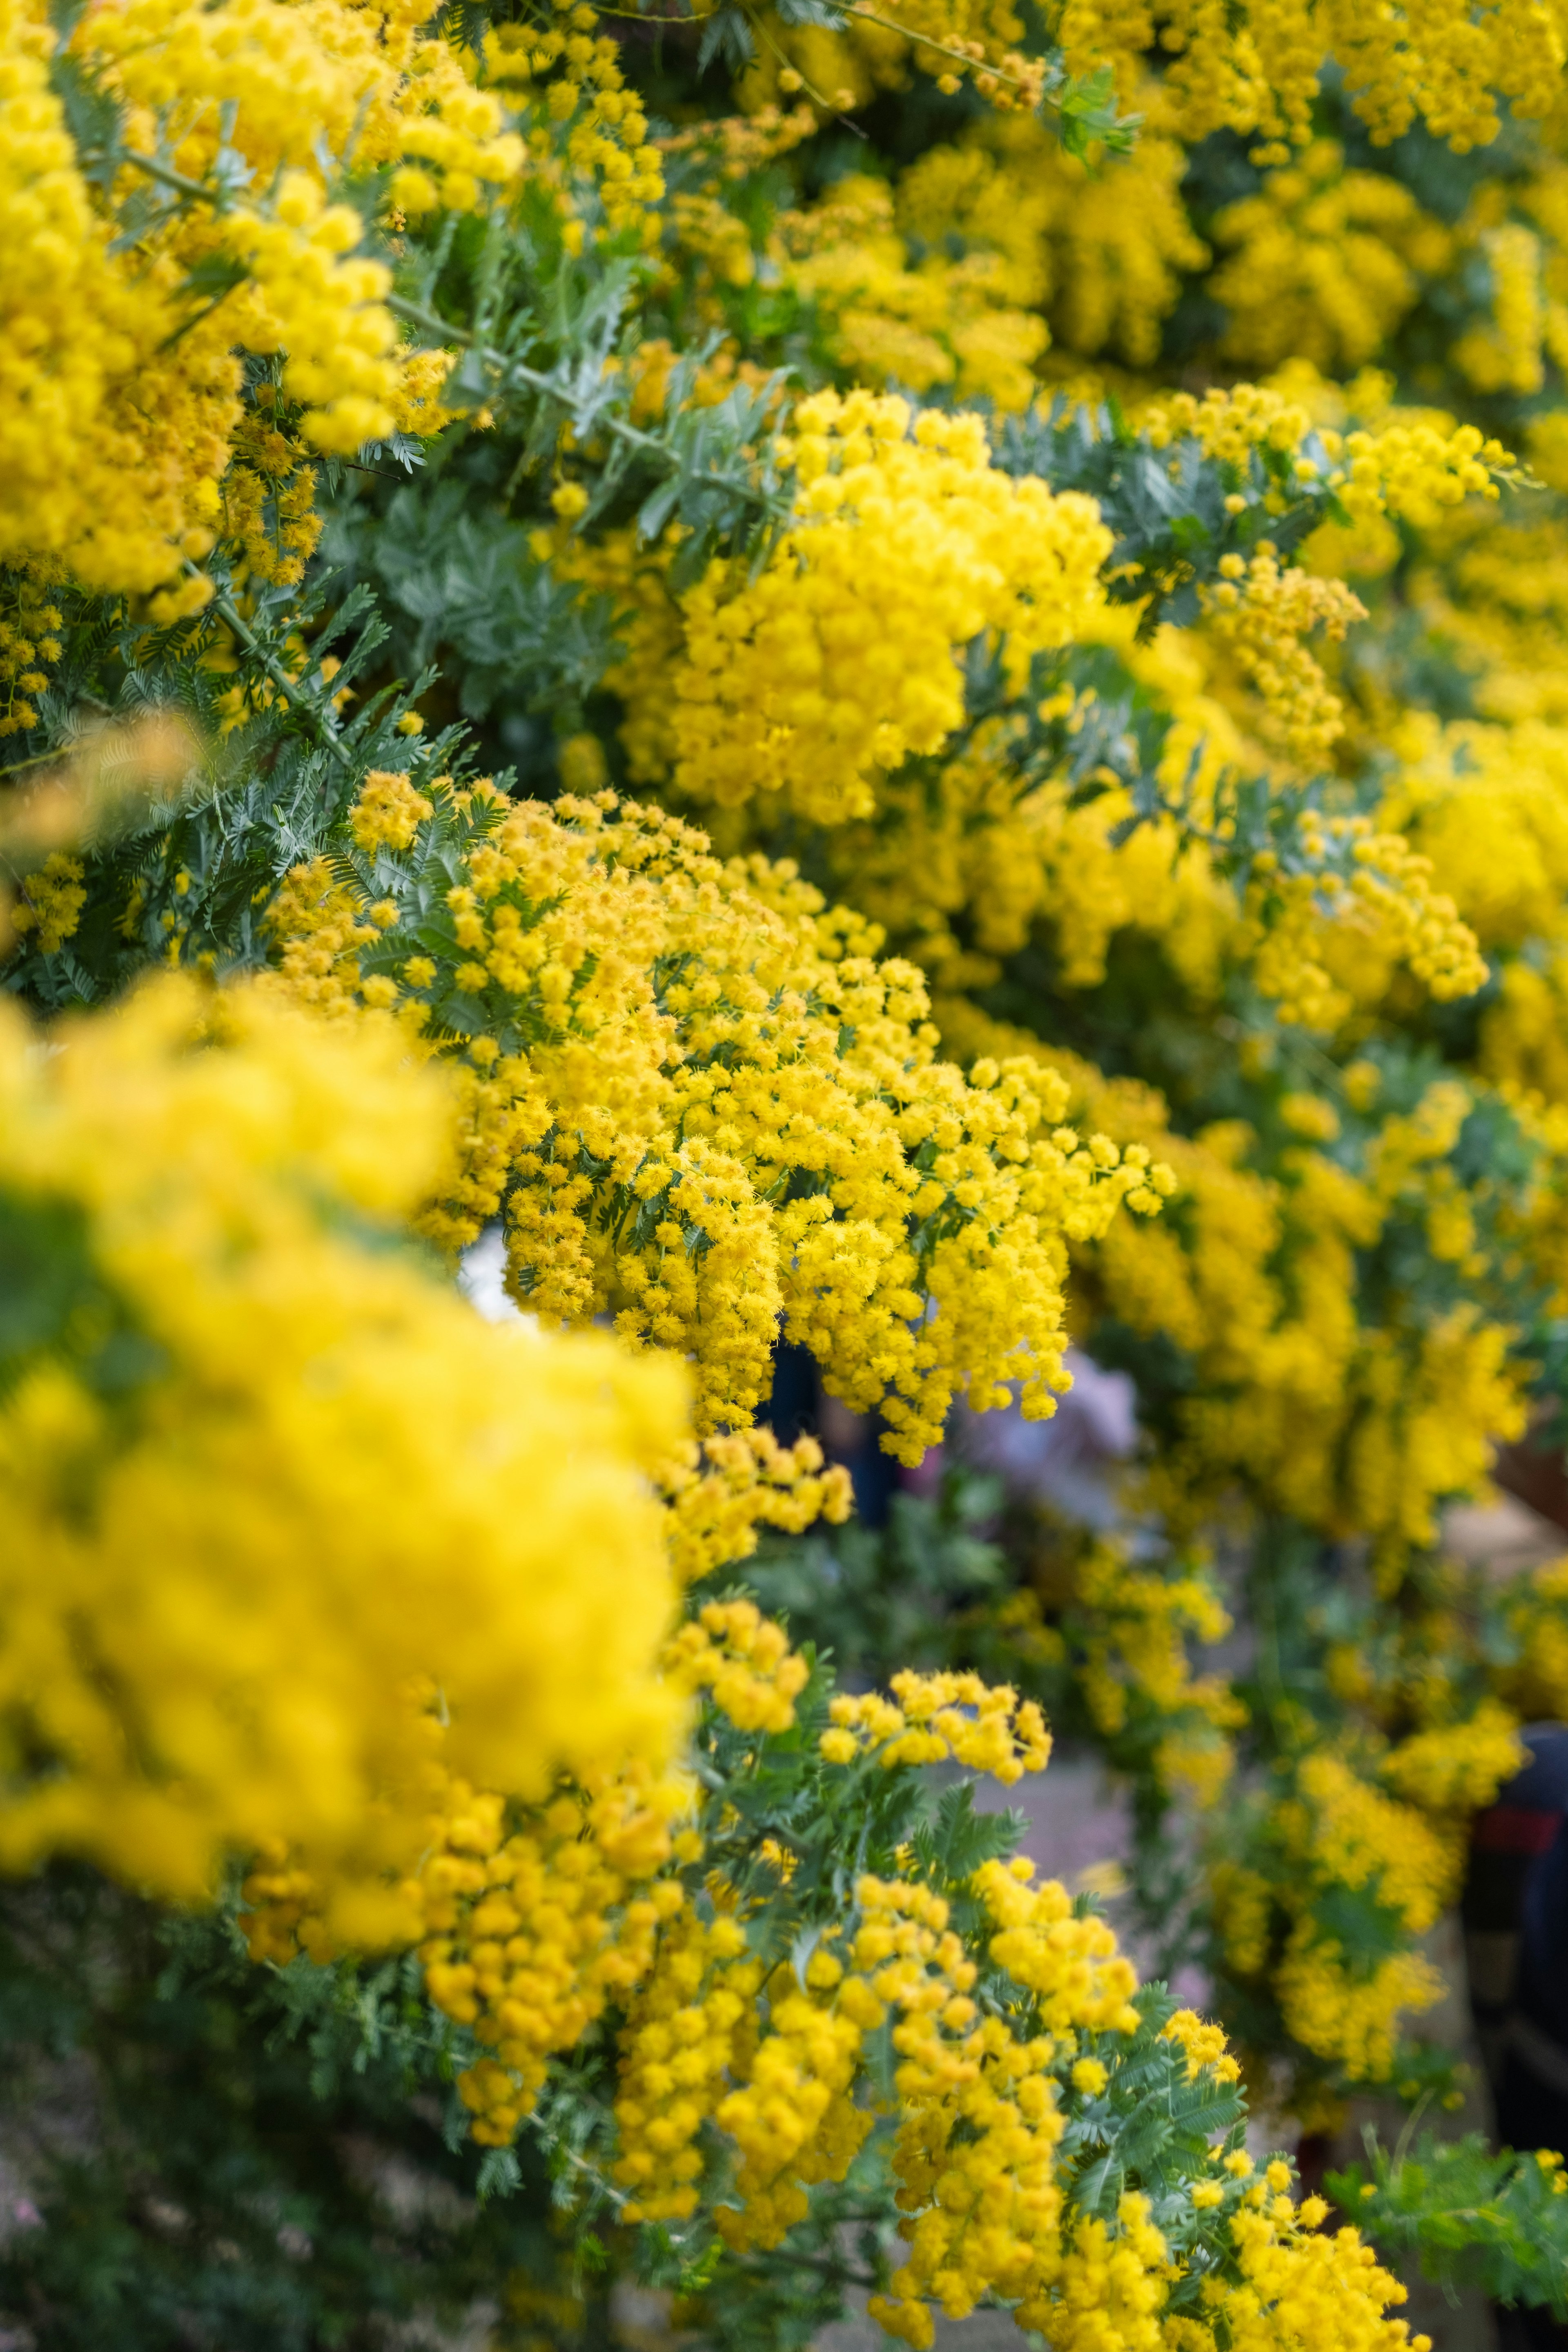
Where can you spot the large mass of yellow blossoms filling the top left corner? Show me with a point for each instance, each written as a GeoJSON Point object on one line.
{"type": "Point", "coordinates": [119, 394]}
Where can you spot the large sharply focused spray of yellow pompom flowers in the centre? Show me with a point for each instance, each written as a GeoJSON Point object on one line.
{"type": "Point", "coordinates": [702, 1107]}
